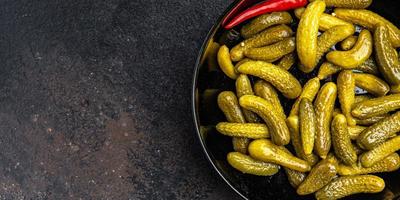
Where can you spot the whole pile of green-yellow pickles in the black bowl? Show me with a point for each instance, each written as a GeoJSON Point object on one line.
{"type": "Point", "coordinates": [332, 139]}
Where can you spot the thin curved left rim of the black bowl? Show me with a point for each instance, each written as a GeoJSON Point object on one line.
{"type": "Point", "coordinates": [195, 111]}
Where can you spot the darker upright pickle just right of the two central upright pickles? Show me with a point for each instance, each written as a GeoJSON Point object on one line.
{"type": "Point", "coordinates": [341, 141]}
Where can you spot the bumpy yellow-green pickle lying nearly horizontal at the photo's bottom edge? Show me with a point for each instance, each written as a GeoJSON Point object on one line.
{"type": "Point", "coordinates": [348, 185]}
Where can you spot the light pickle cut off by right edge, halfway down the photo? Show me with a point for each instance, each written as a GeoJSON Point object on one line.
{"type": "Point", "coordinates": [377, 106]}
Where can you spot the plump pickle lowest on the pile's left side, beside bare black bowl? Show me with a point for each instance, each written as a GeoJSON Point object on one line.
{"type": "Point", "coordinates": [248, 165]}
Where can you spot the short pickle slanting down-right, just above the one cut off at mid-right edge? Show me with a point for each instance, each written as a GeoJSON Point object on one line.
{"type": "Point", "coordinates": [371, 84]}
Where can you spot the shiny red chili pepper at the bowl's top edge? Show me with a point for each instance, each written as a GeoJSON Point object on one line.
{"type": "Point", "coordinates": [265, 7]}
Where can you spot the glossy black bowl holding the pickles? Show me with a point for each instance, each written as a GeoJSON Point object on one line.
{"type": "Point", "coordinates": [209, 81]}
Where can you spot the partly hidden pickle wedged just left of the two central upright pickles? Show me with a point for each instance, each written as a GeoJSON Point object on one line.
{"type": "Point", "coordinates": [293, 125]}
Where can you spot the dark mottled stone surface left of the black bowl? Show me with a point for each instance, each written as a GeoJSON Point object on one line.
{"type": "Point", "coordinates": [95, 100]}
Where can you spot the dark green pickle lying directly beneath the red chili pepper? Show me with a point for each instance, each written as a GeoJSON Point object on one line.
{"type": "Point", "coordinates": [265, 21]}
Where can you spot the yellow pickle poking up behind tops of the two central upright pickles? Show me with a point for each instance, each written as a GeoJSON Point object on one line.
{"type": "Point", "coordinates": [310, 90]}
